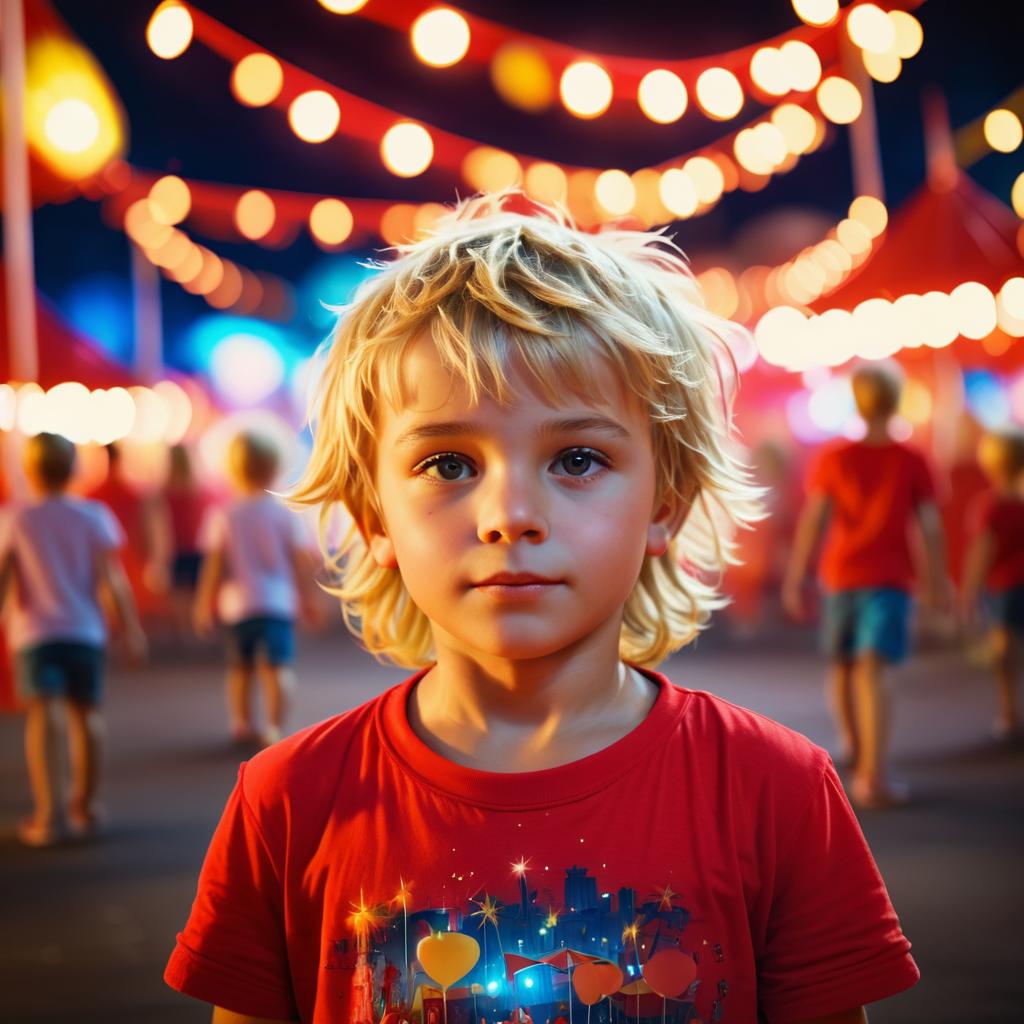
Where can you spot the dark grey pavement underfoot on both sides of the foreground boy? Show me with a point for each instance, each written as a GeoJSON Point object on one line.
{"type": "Point", "coordinates": [86, 931]}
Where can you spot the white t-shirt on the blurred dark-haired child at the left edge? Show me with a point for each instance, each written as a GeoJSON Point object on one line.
{"type": "Point", "coordinates": [57, 544]}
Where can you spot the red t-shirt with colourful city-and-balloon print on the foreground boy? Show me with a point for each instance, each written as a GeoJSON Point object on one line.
{"type": "Point", "coordinates": [711, 829]}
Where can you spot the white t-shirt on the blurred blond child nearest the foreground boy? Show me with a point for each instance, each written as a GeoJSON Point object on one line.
{"type": "Point", "coordinates": [257, 537]}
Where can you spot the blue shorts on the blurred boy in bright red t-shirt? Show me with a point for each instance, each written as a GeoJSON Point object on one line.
{"type": "Point", "coordinates": [868, 620]}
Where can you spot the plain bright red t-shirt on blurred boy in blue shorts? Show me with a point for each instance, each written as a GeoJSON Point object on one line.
{"type": "Point", "coordinates": [874, 492]}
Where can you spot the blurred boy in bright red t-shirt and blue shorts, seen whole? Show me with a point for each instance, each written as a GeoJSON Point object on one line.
{"type": "Point", "coordinates": [865, 496]}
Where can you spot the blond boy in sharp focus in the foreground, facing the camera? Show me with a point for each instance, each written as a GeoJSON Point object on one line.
{"type": "Point", "coordinates": [520, 419]}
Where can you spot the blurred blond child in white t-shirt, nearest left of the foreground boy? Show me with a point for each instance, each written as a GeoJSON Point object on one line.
{"type": "Point", "coordinates": [258, 572]}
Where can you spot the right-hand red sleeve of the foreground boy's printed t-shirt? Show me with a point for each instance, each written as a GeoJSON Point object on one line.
{"type": "Point", "coordinates": [834, 942]}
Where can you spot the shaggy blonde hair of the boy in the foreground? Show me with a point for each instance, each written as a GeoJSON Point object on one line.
{"type": "Point", "coordinates": [494, 288]}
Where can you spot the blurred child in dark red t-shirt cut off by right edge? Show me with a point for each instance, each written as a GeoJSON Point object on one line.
{"type": "Point", "coordinates": [995, 563]}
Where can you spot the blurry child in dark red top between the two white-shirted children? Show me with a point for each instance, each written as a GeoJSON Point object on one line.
{"type": "Point", "coordinates": [175, 517]}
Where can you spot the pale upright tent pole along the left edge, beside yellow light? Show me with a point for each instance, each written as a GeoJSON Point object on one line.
{"type": "Point", "coordinates": [20, 277]}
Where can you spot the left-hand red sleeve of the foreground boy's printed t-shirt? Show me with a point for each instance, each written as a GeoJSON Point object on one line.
{"type": "Point", "coordinates": [233, 951]}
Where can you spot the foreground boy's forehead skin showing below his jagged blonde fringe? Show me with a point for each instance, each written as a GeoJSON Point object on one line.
{"type": "Point", "coordinates": [428, 388]}
